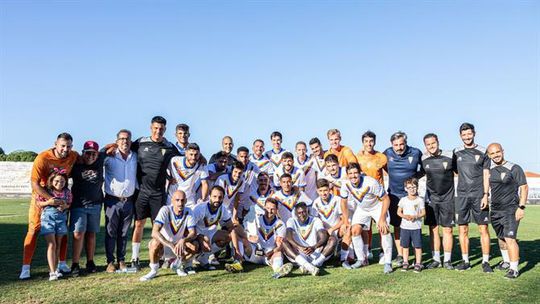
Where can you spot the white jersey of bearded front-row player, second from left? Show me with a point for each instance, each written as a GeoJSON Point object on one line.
{"type": "Point", "coordinates": [208, 221]}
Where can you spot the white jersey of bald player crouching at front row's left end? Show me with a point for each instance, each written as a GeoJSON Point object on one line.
{"type": "Point", "coordinates": [173, 227]}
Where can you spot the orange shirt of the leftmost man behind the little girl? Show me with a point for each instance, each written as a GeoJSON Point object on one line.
{"type": "Point", "coordinates": [46, 161]}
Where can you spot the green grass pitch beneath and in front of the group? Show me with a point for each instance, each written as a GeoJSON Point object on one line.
{"type": "Point", "coordinates": [335, 285]}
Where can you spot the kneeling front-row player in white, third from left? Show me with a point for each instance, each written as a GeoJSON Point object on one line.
{"type": "Point", "coordinates": [264, 240]}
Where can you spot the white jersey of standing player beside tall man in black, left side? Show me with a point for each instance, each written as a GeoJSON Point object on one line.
{"type": "Point", "coordinates": [187, 178]}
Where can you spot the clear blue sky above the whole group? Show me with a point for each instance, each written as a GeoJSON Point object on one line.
{"type": "Point", "coordinates": [246, 69]}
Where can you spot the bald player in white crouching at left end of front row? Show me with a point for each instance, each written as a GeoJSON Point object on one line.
{"type": "Point", "coordinates": [173, 236]}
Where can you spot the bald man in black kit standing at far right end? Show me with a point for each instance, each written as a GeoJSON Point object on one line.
{"type": "Point", "coordinates": [509, 192]}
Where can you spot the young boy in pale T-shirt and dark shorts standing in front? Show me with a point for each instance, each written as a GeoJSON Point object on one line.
{"type": "Point", "coordinates": [411, 209]}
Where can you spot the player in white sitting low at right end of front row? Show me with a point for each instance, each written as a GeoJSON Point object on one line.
{"type": "Point", "coordinates": [307, 242]}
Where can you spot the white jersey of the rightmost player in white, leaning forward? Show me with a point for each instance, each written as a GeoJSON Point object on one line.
{"type": "Point", "coordinates": [367, 195]}
